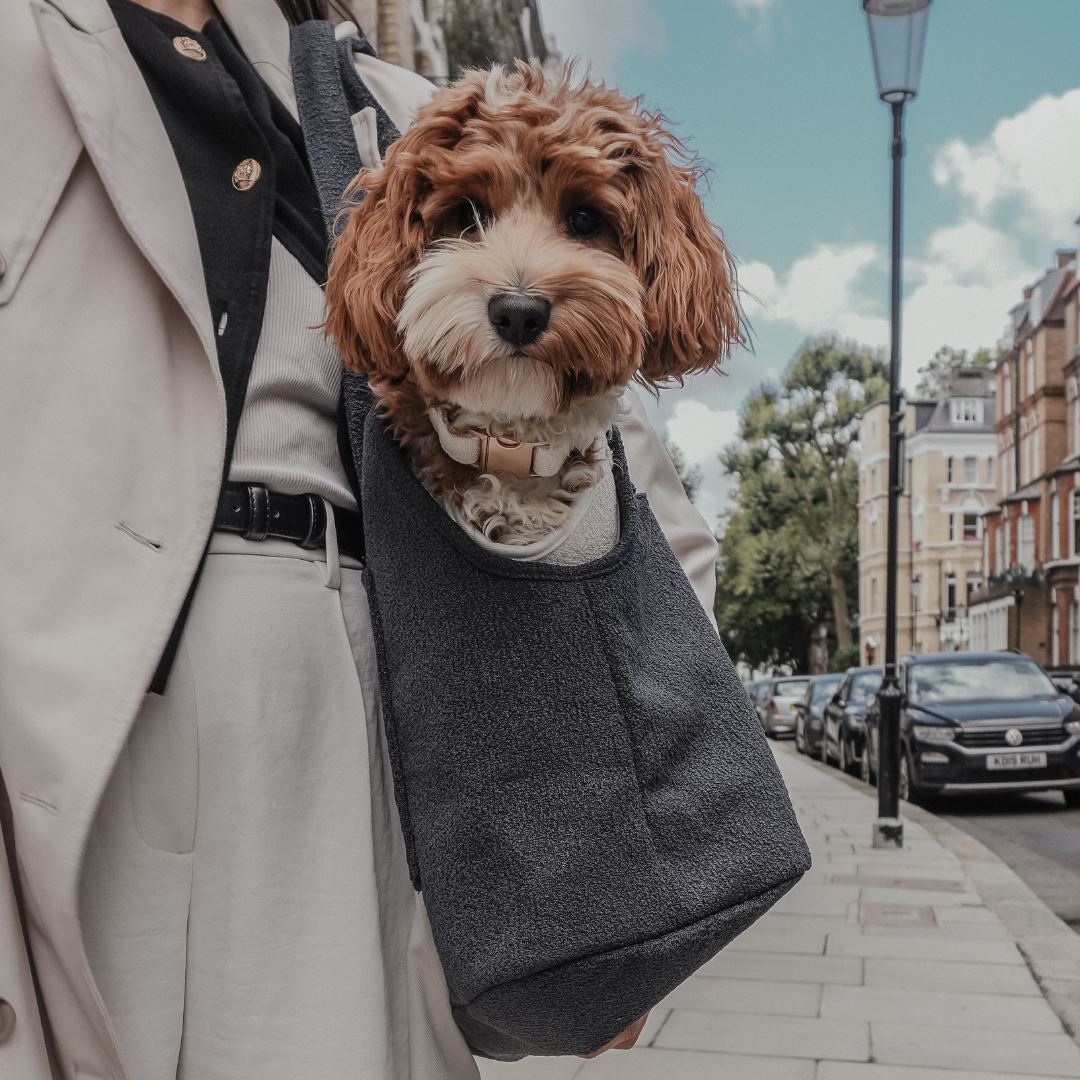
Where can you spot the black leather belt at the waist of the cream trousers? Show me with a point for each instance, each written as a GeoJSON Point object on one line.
{"type": "Point", "coordinates": [258, 515]}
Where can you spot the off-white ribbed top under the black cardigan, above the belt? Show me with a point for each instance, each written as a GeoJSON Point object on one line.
{"type": "Point", "coordinates": [288, 435]}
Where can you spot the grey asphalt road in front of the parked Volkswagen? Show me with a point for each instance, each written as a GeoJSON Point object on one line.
{"type": "Point", "coordinates": [1036, 835]}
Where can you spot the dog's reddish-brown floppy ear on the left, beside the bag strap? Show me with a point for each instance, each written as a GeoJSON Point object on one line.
{"type": "Point", "coordinates": [383, 240]}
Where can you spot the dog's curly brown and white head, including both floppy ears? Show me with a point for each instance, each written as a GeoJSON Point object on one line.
{"type": "Point", "coordinates": [530, 244]}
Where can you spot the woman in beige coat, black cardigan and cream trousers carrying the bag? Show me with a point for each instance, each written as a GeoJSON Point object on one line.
{"type": "Point", "coordinates": [208, 881]}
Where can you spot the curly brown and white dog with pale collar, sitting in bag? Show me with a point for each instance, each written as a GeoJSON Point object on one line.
{"type": "Point", "coordinates": [529, 249]}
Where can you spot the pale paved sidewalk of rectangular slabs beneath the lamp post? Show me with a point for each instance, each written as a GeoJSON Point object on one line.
{"type": "Point", "coordinates": [879, 966]}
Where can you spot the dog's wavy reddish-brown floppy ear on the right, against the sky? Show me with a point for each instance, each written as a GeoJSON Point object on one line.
{"type": "Point", "coordinates": [692, 307]}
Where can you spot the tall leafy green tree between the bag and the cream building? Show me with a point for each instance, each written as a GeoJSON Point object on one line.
{"type": "Point", "coordinates": [790, 552]}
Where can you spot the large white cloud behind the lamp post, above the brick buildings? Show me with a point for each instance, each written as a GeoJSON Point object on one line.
{"type": "Point", "coordinates": [1019, 184]}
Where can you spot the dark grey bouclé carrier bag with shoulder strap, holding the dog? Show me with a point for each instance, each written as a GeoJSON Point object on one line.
{"type": "Point", "coordinates": [589, 804]}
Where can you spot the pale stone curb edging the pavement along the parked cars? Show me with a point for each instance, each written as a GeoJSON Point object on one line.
{"type": "Point", "coordinates": [1050, 948]}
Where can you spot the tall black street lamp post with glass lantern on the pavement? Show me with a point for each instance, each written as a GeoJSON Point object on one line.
{"type": "Point", "coordinates": [898, 32]}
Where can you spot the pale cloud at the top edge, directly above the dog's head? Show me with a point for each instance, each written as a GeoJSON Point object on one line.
{"type": "Point", "coordinates": [600, 32]}
